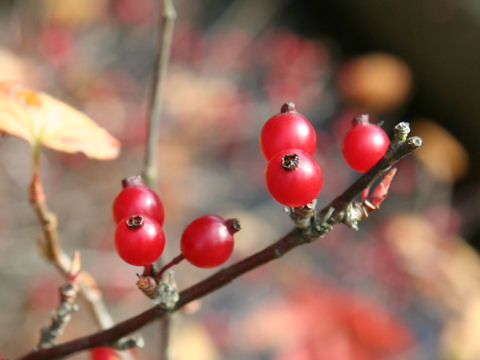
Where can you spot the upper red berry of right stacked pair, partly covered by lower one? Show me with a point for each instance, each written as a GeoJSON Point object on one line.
{"type": "Point", "coordinates": [287, 130]}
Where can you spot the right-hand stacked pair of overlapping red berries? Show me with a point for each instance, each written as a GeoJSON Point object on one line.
{"type": "Point", "coordinates": [288, 141]}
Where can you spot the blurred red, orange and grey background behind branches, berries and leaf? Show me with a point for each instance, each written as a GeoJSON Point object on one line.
{"type": "Point", "coordinates": [406, 286]}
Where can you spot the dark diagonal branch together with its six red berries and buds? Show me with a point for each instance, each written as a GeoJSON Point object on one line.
{"type": "Point", "coordinates": [293, 178]}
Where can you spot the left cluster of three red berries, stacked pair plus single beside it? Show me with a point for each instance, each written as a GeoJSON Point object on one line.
{"type": "Point", "coordinates": [139, 238]}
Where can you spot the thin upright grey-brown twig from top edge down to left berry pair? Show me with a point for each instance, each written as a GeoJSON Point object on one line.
{"type": "Point", "coordinates": [160, 69]}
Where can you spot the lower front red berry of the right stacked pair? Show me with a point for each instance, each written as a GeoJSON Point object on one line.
{"type": "Point", "coordinates": [293, 178]}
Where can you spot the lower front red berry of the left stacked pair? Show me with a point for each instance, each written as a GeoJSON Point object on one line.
{"type": "Point", "coordinates": [139, 240]}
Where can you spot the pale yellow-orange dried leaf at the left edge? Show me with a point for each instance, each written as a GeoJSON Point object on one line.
{"type": "Point", "coordinates": [43, 120]}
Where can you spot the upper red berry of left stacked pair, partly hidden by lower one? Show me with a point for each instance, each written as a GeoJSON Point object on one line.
{"type": "Point", "coordinates": [137, 198]}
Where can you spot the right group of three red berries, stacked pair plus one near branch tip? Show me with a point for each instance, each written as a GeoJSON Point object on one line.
{"type": "Point", "coordinates": [288, 141]}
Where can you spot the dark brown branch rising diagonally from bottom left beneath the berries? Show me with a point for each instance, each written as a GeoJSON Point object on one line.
{"type": "Point", "coordinates": [399, 148]}
